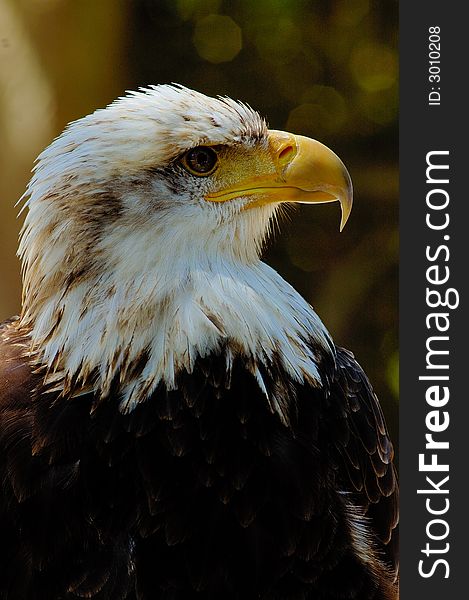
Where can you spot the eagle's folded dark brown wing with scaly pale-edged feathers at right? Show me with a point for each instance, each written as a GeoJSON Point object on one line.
{"type": "Point", "coordinates": [363, 455]}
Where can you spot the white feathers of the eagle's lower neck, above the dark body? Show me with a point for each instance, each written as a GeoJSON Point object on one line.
{"type": "Point", "coordinates": [177, 313]}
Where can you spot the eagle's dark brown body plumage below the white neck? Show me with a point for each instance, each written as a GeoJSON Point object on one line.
{"type": "Point", "coordinates": [199, 493]}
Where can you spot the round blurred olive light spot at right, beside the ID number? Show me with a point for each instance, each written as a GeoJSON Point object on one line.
{"type": "Point", "coordinates": [374, 67]}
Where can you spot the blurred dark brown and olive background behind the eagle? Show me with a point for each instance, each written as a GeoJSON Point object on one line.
{"type": "Point", "coordinates": [322, 68]}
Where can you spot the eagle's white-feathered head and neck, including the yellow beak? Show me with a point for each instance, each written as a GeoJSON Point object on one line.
{"type": "Point", "coordinates": [141, 243]}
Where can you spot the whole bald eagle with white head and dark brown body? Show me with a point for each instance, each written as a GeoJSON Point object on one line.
{"type": "Point", "coordinates": [175, 420]}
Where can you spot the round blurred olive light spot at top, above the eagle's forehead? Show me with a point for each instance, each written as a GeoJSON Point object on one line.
{"type": "Point", "coordinates": [217, 38]}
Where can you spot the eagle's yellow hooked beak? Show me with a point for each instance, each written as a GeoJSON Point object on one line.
{"type": "Point", "coordinates": [301, 170]}
